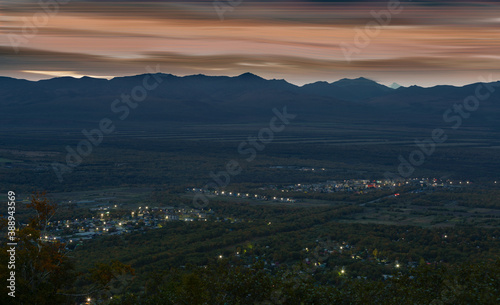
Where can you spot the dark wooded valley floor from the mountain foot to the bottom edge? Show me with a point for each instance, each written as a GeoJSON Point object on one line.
{"type": "Point", "coordinates": [426, 246]}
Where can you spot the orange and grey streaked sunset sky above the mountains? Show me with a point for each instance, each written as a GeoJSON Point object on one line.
{"type": "Point", "coordinates": [415, 42]}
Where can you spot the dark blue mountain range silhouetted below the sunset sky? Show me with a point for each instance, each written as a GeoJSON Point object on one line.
{"type": "Point", "coordinates": [67, 102]}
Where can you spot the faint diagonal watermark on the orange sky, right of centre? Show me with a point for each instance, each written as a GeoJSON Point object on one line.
{"type": "Point", "coordinates": [365, 35]}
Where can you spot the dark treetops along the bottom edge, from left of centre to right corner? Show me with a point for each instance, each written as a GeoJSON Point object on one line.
{"type": "Point", "coordinates": [223, 283]}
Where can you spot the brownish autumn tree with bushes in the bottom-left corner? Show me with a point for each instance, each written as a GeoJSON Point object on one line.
{"type": "Point", "coordinates": [44, 272]}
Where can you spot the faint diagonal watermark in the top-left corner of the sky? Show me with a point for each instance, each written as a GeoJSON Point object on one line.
{"type": "Point", "coordinates": [29, 29]}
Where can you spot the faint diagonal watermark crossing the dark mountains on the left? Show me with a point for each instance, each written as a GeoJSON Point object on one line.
{"type": "Point", "coordinates": [106, 126]}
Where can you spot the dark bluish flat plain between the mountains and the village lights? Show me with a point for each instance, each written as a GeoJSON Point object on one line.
{"type": "Point", "coordinates": [136, 166]}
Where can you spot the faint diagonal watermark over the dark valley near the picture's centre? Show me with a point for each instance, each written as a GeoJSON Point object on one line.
{"type": "Point", "coordinates": [249, 149]}
